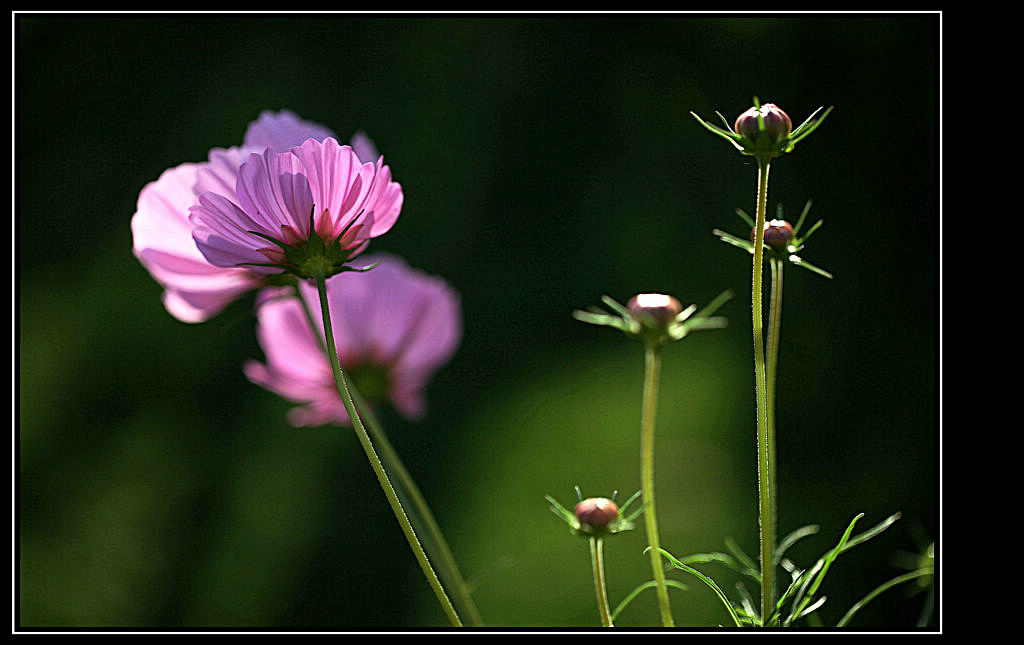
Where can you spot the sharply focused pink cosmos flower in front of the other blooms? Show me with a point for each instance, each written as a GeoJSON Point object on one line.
{"type": "Point", "coordinates": [308, 211]}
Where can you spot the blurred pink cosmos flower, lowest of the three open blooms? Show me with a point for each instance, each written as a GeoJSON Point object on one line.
{"type": "Point", "coordinates": [394, 328]}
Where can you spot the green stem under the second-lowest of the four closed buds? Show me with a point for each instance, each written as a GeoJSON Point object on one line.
{"type": "Point", "coordinates": [653, 366]}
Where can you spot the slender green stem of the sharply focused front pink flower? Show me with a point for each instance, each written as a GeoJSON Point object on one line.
{"type": "Point", "coordinates": [375, 463]}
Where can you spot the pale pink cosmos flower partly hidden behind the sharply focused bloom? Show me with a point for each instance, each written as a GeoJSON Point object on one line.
{"type": "Point", "coordinates": [195, 290]}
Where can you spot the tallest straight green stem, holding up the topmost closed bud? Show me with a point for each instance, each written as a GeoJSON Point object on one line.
{"type": "Point", "coordinates": [766, 493]}
